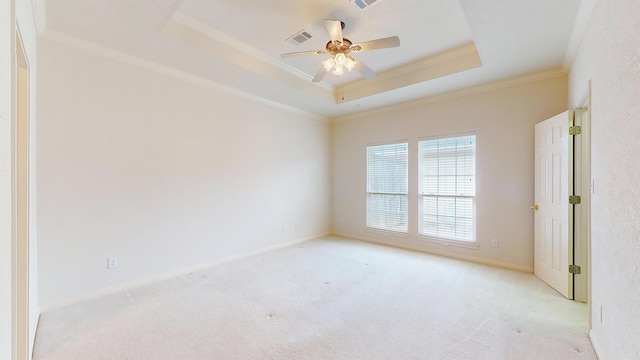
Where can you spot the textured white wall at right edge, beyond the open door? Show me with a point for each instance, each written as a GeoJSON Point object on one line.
{"type": "Point", "coordinates": [609, 56]}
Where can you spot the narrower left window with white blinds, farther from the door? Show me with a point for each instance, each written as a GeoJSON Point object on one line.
{"type": "Point", "coordinates": [387, 187]}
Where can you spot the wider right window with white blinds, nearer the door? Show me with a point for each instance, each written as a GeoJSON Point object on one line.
{"type": "Point", "coordinates": [447, 188]}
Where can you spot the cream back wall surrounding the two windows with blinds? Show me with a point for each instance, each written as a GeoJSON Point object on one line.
{"type": "Point", "coordinates": [503, 121]}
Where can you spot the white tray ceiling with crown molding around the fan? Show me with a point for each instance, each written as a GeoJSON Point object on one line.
{"type": "Point", "coordinates": [446, 45]}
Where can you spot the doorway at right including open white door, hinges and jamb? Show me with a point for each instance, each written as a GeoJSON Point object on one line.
{"type": "Point", "coordinates": [562, 202]}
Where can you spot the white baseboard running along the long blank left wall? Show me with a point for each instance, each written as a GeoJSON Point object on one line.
{"type": "Point", "coordinates": [165, 276]}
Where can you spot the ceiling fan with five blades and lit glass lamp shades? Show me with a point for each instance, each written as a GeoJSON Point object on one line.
{"type": "Point", "coordinates": [340, 47]}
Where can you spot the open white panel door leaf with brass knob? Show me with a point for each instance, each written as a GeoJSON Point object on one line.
{"type": "Point", "coordinates": [551, 208]}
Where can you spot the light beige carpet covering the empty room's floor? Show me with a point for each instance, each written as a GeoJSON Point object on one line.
{"type": "Point", "coordinates": [326, 299]}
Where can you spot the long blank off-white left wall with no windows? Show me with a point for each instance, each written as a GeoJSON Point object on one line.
{"type": "Point", "coordinates": [164, 174]}
